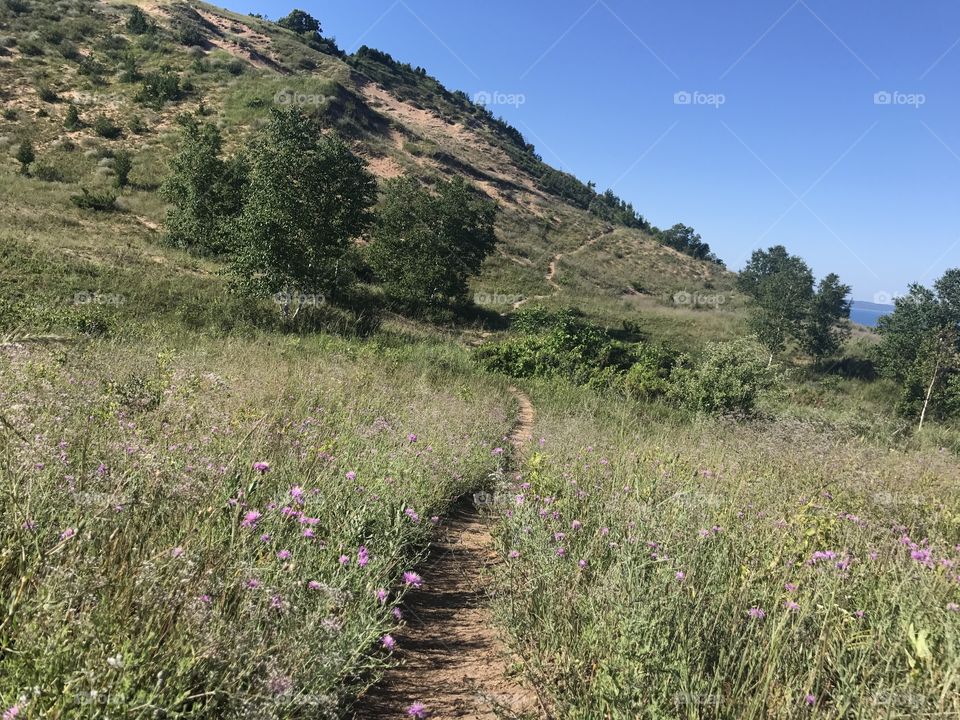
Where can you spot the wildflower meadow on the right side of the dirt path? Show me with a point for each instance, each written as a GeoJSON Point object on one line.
{"type": "Point", "coordinates": [729, 570]}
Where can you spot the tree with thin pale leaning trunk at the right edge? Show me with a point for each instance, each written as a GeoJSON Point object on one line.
{"type": "Point", "coordinates": [920, 349]}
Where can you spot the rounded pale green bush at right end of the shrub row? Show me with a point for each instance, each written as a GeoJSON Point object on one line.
{"type": "Point", "coordinates": [729, 377]}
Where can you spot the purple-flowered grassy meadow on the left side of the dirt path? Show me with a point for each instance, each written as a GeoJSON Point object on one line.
{"type": "Point", "coordinates": [222, 529]}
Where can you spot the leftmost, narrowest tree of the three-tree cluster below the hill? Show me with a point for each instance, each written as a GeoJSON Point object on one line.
{"type": "Point", "coordinates": [205, 190]}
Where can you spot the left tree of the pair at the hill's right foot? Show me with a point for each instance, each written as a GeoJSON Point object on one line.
{"type": "Point", "coordinates": [782, 287]}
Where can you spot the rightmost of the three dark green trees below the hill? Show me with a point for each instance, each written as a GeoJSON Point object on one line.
{"type": "Point", "coordinates": [426, 246]}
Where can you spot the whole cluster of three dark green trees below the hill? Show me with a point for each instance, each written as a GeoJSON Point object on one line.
{"type": "Point", "coordinates": [286, 214]}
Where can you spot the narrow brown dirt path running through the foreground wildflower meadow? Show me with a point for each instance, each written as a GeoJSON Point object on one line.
{"type": "Point", "coordinates": [453, 660]}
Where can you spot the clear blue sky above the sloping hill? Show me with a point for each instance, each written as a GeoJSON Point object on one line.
{"type": "Point", "coordinates": [832, 128]}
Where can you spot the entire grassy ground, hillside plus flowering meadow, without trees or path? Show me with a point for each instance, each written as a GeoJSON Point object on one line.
{"type": "Point", "coordinates": [208, 512]}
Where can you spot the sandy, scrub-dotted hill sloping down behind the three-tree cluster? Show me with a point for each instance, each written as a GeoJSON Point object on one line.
{"type": "Point", "coordinates": [234, 68]}
